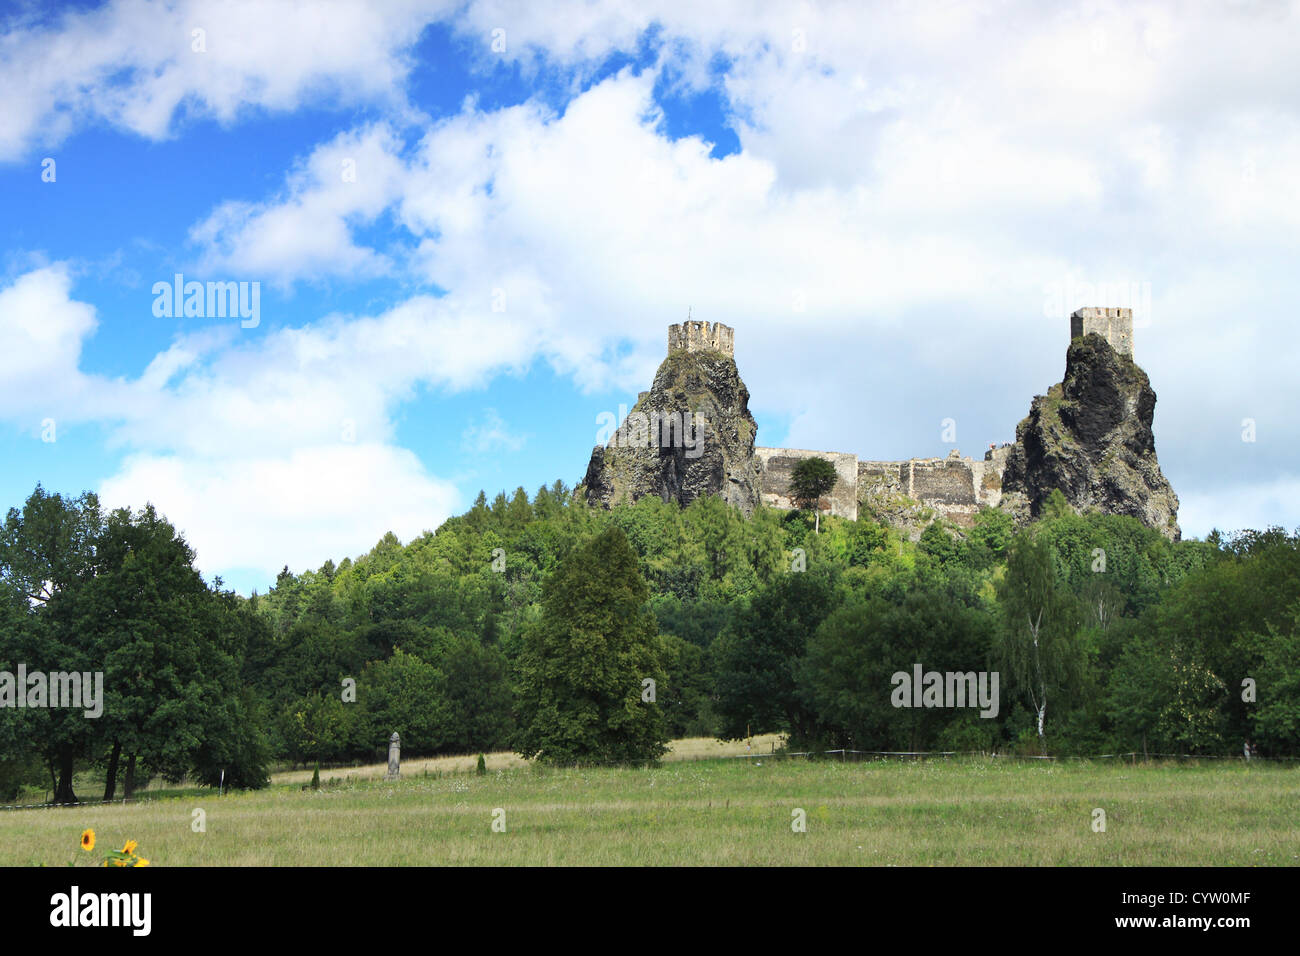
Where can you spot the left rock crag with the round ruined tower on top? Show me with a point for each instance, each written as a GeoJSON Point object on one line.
{"type": "Point", "coordinates": [691, 435]}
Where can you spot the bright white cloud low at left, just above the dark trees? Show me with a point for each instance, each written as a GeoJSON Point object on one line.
{"type": "Point", "coordinates": [261, 449]}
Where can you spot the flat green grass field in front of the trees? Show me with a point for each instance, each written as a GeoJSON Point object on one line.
{"type": "Point", "coordinates": [709, 812]}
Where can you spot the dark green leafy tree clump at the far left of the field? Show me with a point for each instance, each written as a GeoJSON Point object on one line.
{"type": "Point", "coordinates": [119, 596]}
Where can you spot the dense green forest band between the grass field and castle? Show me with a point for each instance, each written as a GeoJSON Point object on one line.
{"type": "Point", "coordinates": [535, 624]}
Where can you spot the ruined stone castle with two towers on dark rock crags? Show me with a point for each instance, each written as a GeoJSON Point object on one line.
{"type": "Point", "coordinates": [1107, 461]}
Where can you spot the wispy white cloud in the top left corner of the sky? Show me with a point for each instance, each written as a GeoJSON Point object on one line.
{"type": "Point", "coordinates": [135, 63]}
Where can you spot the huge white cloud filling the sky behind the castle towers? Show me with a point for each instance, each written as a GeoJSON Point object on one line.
{"type": "Point", "coordinates": [918, 184]}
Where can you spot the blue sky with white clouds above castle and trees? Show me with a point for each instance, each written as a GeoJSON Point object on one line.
{"type": "Point", "coordinates": [462, 231]}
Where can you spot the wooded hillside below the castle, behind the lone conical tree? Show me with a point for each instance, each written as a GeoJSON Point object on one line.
{"type": "Point", "coordinates": [769, 626]}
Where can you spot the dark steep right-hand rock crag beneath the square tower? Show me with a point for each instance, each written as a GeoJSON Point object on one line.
{"type": "Point", "coordinates": [1091, 436]}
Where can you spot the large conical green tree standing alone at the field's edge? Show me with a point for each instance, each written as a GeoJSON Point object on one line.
{"type": "Point", "coordinates": [582, 667]}
